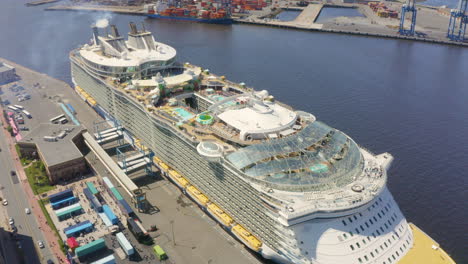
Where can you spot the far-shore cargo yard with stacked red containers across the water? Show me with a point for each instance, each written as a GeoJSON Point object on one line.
{"type": "Point", "coordinates": [376, 19]}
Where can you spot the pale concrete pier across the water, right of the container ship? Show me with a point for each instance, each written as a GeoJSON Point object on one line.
{"type": "Point", "coordinates": [431, 25]}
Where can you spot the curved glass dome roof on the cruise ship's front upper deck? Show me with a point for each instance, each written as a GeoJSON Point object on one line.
{"type": "Point", "coordinates": [316, 158]}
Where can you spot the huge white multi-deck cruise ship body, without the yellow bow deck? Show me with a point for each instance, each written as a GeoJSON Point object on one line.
{"type": "Point", "coordinates": [287, 185]}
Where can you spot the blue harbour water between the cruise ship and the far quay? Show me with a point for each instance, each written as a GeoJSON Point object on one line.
{"type": "Point", "coordinates": [406, 98]}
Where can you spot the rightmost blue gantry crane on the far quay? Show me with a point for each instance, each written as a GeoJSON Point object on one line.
{"type": "Point", "coordinates": [458, 21]}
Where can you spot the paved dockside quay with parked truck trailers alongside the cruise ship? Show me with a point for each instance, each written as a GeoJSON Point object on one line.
{"type": "Point", "coordinates": [91, 211]}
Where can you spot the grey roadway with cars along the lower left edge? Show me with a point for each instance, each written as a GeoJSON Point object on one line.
{"type": "Point", "coordinates": [28, 229]}
